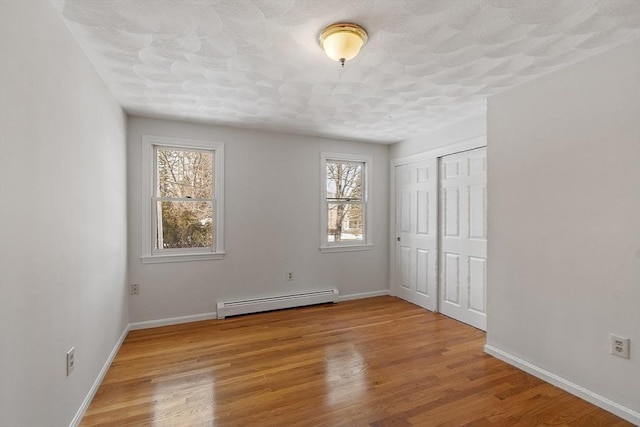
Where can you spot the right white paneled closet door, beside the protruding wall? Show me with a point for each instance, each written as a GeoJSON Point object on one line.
{"type": "Point", "coordinates": [463, 237]}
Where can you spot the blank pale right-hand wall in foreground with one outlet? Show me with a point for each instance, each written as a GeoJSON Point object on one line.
{"type": "Point", "coordinates": [564, 222]}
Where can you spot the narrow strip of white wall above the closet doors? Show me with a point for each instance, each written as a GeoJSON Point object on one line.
{"type": "Point", "coordinates": [471, 127]}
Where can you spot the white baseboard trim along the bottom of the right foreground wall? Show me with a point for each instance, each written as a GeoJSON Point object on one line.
{"type": "Point", "coordinates": [581, 392]}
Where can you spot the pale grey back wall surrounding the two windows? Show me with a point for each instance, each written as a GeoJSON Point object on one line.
{"type": "Point", "coordinates": [272, 215]}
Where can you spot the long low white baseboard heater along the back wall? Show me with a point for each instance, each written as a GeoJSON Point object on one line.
{"type": "Point", "coordinates": [255, 305]}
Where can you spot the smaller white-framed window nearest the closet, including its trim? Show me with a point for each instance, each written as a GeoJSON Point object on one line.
{"type": "Point", "coordinates": [346, 213]}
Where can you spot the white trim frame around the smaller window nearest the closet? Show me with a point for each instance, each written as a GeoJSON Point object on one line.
{"type": "Point", "coordinates": [330, 247]}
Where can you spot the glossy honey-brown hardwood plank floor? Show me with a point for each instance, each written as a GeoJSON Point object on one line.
{"type": "Point", "coordinates": [371, 362]}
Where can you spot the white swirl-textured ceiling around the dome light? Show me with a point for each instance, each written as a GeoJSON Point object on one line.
{"type": "Point", "coordinates": [257, 63]}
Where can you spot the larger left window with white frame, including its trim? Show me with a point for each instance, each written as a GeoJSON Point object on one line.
{"type": "Point", "coordinates": [183, 204]}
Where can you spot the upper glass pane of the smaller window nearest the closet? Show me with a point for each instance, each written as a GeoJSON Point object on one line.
{"type": "Point", "coordinates": [344, 181]}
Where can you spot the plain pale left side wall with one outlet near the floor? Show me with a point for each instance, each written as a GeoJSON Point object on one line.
{"type": "Point", "coordinates": [62, 218]}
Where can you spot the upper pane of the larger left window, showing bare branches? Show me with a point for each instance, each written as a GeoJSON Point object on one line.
{"type": "Point", "coordinates": [186, 174]}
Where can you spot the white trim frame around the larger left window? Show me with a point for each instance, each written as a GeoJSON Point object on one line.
{"type": "Point", "coordinates": [148, 167]}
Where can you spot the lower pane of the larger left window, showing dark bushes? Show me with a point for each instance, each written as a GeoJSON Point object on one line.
{"type": "Point", "coordinates": [184, 225]}
